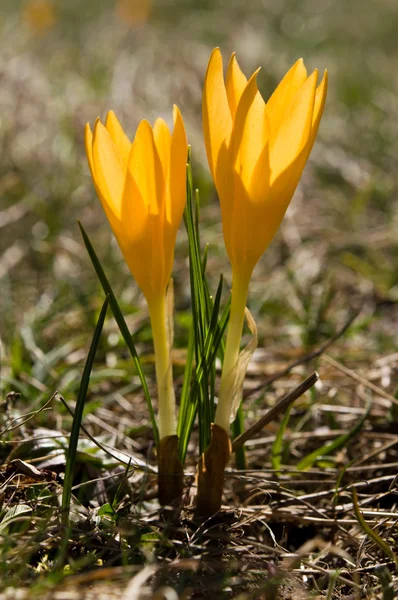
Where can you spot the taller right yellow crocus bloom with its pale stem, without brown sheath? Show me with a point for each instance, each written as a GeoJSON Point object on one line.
{"type": "Point", "coordinates": [256, 152]}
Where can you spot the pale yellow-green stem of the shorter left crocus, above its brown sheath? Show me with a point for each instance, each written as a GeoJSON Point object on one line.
{"type": "Point", "coordinates": [164, 369]}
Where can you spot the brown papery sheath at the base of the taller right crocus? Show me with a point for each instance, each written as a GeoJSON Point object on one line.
{"type": "Point", "coordinates": [211, 469]}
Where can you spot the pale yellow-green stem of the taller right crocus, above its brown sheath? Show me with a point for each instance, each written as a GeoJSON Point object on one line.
{"type": "Point", "coordinates": [240, 288]}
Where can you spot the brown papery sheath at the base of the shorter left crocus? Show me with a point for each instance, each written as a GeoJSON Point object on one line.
{"type": "Point", "coordinates": [170, 471]}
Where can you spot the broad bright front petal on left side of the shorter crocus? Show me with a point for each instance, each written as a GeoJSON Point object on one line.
{"type": "Point", "coordinates": [109, 170]}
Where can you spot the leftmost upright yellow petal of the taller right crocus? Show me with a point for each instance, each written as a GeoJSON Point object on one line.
{"type": "Point", "coordinates": [217, 121]}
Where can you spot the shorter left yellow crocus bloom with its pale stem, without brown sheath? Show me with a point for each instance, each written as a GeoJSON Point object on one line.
{"type": "Point", "coordinates": [142, 189]}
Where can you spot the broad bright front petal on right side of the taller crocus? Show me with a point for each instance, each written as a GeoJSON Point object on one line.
{"type": "Point", "coordinates": [295, 129]}
